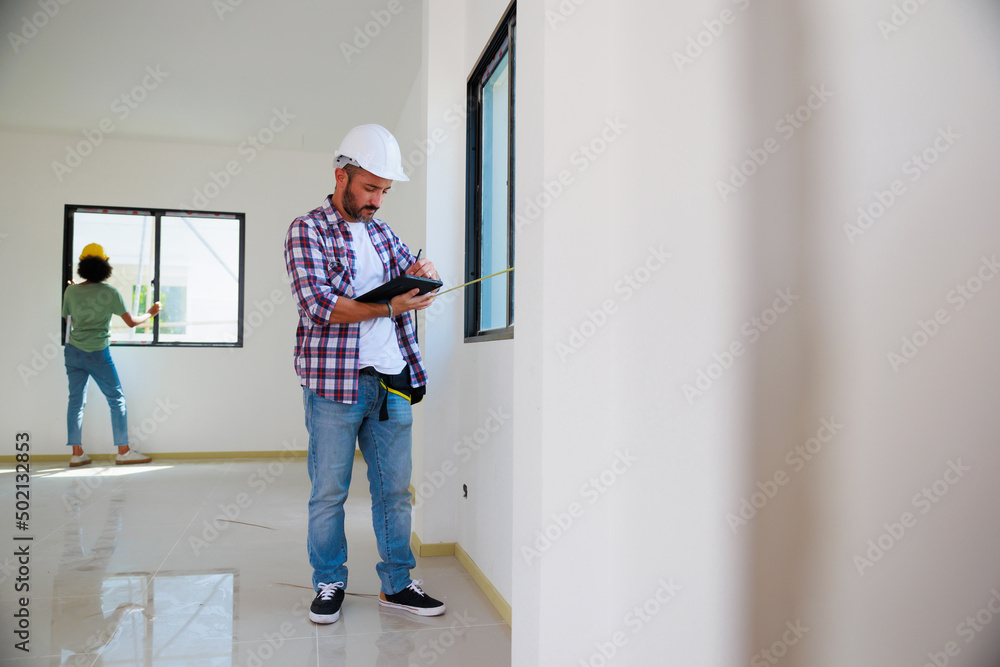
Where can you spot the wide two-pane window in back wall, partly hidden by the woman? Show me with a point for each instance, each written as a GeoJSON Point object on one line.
{"type": "Point", "coordinates": [192, 262]}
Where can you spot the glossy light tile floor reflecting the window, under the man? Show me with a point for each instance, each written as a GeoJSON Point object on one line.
{"type": "Point", "coordinates": [189, 564]}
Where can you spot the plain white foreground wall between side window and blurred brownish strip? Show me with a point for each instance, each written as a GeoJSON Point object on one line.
{"type": "Point", "coordinates": [599, 365]}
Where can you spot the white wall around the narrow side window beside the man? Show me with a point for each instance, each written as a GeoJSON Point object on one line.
{"type": "Point", "coordinates": [469, 411]}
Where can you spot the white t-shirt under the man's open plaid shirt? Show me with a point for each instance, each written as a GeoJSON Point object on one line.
{"type": "Point", "coordinates": [378, 346]}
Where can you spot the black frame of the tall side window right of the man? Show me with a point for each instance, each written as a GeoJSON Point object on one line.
{"type": "Point", "coordinates": [504, 37]}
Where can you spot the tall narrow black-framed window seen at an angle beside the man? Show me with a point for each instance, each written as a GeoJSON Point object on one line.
{"type": "Point", "coordinates": [489, 305]}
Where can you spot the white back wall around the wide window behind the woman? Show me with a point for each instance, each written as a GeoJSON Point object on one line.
{"type": "Point", "coordinates": [180, 400]}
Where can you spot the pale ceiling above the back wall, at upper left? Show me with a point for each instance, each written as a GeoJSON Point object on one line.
{"type": "Point", "coordinates": [224, 67]}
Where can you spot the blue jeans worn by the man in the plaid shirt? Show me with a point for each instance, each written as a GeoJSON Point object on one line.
{"type": "Point", "coordinates": [386, 446]}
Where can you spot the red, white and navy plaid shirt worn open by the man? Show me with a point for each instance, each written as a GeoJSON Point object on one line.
{"type": "Point", "coordinates": [320, 261]}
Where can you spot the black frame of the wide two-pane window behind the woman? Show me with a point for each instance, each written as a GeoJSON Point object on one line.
{"type": "Point", "coordinates": [69, 264]}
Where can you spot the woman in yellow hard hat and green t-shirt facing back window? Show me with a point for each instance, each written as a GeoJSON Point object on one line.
{"type": "Point", "coordinates": [90, 305]}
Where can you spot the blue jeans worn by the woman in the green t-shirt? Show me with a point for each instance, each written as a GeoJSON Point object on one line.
{"type": "Point", "coordinates": [80, 366]}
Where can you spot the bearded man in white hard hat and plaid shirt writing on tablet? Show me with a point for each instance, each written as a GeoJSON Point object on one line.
{"type": "Point", "coordinates": [360, 369]}
